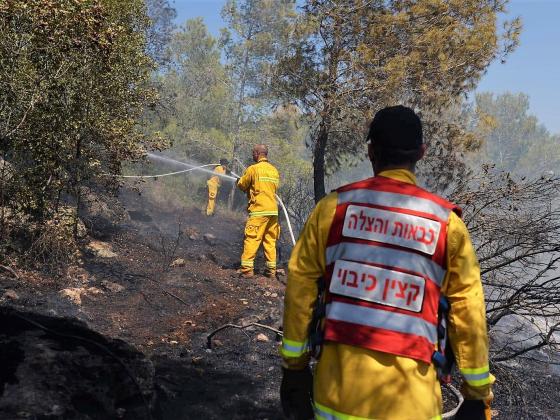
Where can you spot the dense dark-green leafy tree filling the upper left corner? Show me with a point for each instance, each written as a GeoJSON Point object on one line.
{"type": "Point", "coordinates": [74, 80]}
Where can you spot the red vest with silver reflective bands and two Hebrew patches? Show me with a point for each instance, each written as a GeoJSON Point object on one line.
{"type": "Point", "coordinates": [386, 258]}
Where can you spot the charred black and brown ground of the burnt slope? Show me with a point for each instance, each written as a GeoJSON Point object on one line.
{"type": "Point", "coordinates": [130, 336]}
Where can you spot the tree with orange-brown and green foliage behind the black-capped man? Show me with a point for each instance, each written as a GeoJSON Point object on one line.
{"type": "Point", "coordinates": [349, 58]}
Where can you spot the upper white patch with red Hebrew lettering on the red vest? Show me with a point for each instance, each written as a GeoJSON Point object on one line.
{"type": "Point", "coordinates": [391, 228]}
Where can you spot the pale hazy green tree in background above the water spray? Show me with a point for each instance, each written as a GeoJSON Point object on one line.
{"type": "Point", "coordinates": [196, 111]}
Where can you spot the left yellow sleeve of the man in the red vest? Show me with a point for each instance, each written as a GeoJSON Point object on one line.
{"type": "Point", "coordinates": [306, 267]}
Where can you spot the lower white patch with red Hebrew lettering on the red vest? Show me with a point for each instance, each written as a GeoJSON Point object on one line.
{"type": "Point", "coordinates": [378, 285]}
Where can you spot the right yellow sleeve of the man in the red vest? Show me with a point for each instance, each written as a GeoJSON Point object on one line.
{"type": "Point", "coordinates": [467, 317]}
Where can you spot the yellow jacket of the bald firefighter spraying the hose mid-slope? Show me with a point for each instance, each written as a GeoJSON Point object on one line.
{"type": "Point", "coordinates": [260, 181]}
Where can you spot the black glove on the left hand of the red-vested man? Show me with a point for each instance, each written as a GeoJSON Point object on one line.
{"type": "Point", "coordinates": [296, 394]}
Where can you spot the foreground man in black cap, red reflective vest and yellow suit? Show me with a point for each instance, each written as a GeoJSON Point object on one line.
{"type": "Point", "coordinates": [372, 264]}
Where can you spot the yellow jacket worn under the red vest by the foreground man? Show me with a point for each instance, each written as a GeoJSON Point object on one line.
{"type": "Point", "coordinates": [356, 383]}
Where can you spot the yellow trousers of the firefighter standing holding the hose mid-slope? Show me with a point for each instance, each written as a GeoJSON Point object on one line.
{"type": "Point", "coordinates": [259, 229]}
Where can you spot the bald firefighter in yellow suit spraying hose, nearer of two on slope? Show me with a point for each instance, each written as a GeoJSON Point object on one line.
{"type": "Point", "coordinates": [260, 182]}
